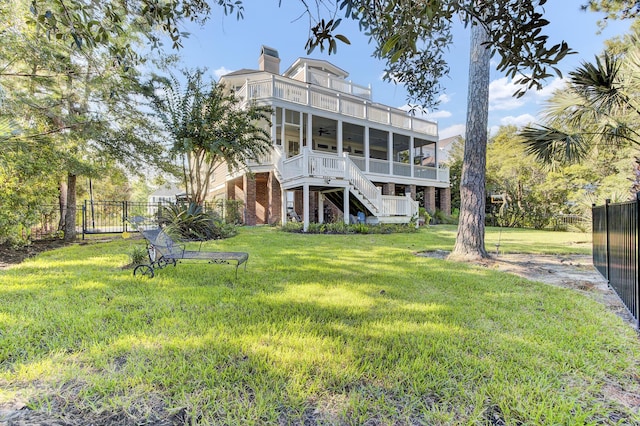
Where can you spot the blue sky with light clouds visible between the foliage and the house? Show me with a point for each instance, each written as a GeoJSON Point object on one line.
{"type": "Point", "coordinates": [225, 44]}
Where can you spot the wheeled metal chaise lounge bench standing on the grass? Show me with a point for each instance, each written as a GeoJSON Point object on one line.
{"type": "Point", "coordinates": [163, 251]}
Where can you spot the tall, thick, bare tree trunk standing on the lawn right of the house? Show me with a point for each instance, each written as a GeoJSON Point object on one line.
{"type": "Point", "coordinates": [471, 226]}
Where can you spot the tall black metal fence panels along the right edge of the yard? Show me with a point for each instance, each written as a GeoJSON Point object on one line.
{"type": "Point", "coordinates": [616, 239]}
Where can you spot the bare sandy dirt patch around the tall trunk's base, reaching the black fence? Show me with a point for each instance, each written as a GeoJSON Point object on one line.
{"type": "Point", "coordinates": [569, 271]}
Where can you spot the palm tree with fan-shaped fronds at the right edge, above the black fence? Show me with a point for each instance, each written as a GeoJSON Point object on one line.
{"type": "Point", "coordinates": [597, 108]}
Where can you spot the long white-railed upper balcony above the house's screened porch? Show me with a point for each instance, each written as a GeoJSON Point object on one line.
{"type": "Point", "coordinates": [336, 101]}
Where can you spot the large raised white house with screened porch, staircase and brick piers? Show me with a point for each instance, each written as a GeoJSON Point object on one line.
{"type": "Point", "coordinates": [335, 153]}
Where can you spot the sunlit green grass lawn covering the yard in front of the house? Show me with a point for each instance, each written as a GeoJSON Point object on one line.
{"type": "Point", "coordinates": [320, 329]}
